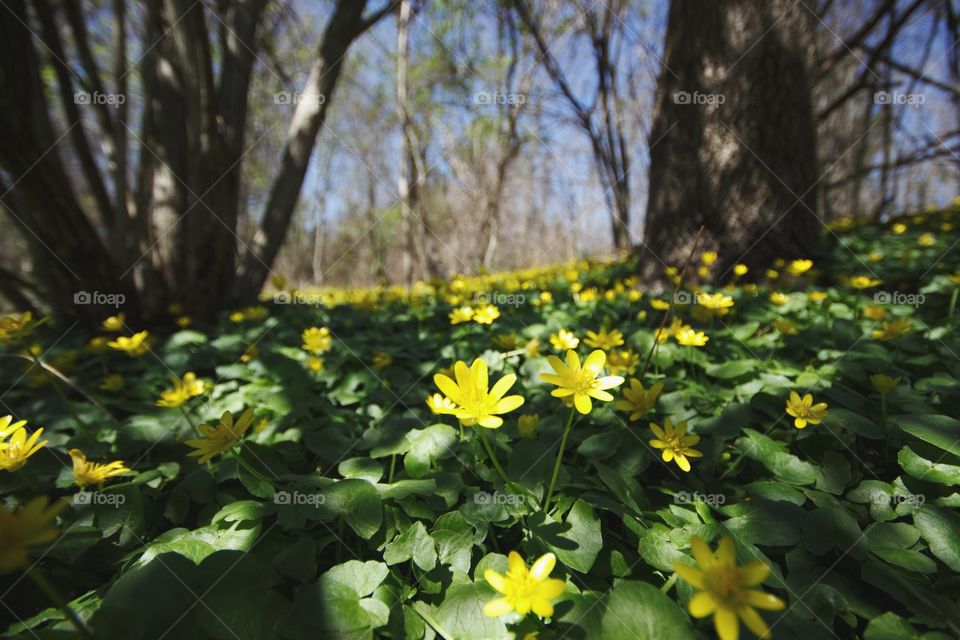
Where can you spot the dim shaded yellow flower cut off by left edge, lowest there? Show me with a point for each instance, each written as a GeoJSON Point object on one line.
{"type": "Point", "coordinates": [31, 526]}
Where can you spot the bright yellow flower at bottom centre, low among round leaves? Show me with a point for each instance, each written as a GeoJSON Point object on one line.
{"type": "Point", "coordinates": [524, 590]}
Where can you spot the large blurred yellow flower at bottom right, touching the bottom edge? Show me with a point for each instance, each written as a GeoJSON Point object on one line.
{"type": "Point", "coordinates": [724, 589]}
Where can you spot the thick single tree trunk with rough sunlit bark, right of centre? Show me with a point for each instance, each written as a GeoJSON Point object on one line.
{"type": "Point", "coordinates": [733, 145]}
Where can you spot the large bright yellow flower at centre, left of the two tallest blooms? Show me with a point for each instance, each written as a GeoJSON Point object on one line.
{"type": "Point", "coordinates": [475, 403]}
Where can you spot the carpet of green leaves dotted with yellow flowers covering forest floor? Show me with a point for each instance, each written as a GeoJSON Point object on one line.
{"type": "Point", "coordinates": [549, 453]}
